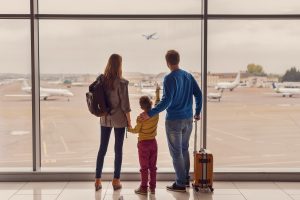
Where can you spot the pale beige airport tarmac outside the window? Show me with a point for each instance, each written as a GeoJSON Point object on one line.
{"type": "Point", "coordinates": [249, 128]}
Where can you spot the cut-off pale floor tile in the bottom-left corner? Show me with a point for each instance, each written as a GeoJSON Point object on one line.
{"type": "Point", "coordinates": [7, 189]}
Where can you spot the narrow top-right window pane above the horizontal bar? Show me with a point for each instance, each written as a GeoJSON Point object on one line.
{"type": "Point", "coordinates": [253, 7]}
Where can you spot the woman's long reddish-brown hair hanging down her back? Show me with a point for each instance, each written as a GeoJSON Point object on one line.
{"type": "Point", "coordinates": [113, 70]}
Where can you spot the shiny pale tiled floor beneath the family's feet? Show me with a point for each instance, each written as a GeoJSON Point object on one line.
{"type": "Point", "coordinates": [85, 191]}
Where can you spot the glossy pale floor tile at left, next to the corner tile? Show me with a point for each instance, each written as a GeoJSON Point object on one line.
{"type": "Point", "coordinates": [35, 188]}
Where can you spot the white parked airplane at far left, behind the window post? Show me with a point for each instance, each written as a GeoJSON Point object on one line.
{"type": "Point", "coordinates": [45, 93]}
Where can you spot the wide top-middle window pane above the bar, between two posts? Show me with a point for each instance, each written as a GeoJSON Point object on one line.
{"type": "Point", "coordinates": [120, 7]}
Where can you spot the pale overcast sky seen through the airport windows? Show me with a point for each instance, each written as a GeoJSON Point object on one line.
{"type": "Point", "coordinates": [69, 46]}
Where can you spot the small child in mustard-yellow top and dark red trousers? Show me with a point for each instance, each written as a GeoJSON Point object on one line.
{"type": "Point", "coordinates": [147, 147]}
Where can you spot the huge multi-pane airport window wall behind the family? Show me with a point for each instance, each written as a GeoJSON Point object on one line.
{"type": "Point", "coordinates": [252, 47]}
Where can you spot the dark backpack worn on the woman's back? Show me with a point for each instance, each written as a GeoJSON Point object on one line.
{"type": "Point", "coordinates": [96, 98]}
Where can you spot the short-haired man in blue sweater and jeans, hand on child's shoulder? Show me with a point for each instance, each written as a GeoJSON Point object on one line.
{"type": "Point", "coordinates": [179, 89]}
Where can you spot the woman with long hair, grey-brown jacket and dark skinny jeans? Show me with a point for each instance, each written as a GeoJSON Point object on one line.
{"type": "Point", "coordinates": [116, 89]}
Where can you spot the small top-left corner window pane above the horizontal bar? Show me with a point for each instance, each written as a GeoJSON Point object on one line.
{"type": "Point", "coordinates": [14, 6]}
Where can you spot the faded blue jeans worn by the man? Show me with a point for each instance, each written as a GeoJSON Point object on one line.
{"type": "Point", "coordinates": [178, 136]}
